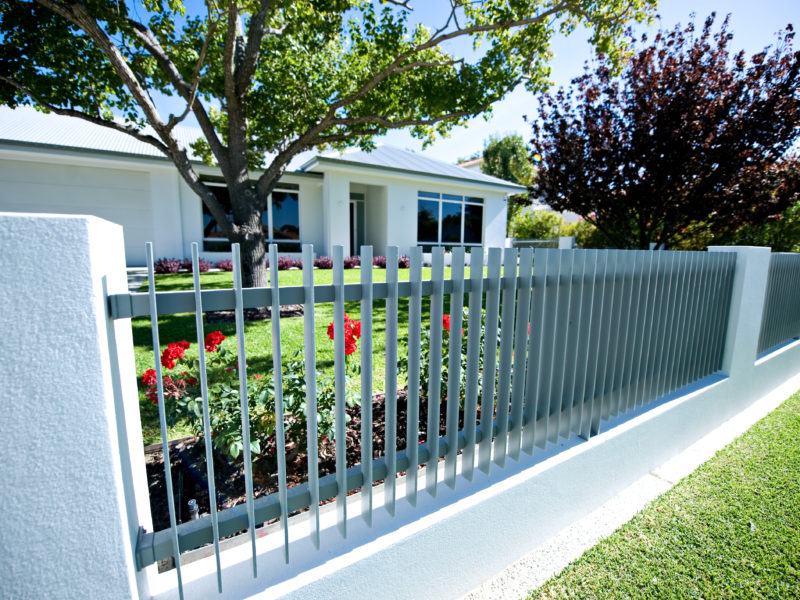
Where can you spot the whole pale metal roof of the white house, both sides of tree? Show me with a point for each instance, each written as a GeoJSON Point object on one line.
{"type": "Point", "coordinates": [25, 125]}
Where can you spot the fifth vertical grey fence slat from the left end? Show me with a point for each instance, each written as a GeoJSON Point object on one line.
{"type": "Point", "coordinates": [310, 358]}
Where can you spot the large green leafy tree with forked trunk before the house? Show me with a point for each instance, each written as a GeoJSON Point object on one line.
{"type": "Point", "coordinates": [279, 76]}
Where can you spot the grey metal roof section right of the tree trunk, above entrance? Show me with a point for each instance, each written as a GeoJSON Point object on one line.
{"type": "Point", "coordinates": [389, 157]}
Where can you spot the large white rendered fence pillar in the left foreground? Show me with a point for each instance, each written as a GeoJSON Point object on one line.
{"type": "Point", "coordinates": [70, 506]}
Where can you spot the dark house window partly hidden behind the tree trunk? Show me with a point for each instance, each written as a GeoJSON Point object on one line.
{"type": "Point", "coordinates": [280, 222]}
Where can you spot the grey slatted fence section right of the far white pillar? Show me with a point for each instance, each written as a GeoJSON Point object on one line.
{"type": "Point", "coordinates": [781, 319]}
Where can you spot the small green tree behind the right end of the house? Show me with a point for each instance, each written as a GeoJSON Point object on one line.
{"type": "Point", "coordinates": [507, 158]}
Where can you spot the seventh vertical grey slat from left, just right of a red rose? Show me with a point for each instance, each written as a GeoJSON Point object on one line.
{"type": "Point", "coordinates": [366, 383]}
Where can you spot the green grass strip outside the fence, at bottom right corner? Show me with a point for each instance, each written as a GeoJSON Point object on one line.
{"type": "Point", "coordinates": [730, 530]}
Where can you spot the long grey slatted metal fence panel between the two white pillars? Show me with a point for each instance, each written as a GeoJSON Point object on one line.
{"type": "Point", "coordinates": [555, 342]}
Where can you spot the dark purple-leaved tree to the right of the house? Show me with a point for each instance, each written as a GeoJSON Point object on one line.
{"type": "Point", "coordinates": [687, 133]}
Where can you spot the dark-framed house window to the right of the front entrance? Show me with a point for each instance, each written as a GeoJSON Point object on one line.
{"type": "Point", "coordinates": [449, 220]}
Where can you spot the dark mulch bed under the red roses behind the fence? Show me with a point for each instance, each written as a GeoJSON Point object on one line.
{"type": "Point", "coordinates": [188, 462]}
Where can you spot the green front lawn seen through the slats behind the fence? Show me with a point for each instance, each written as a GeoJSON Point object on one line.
{"type": "Point", "coordinates": [258, 335]}
